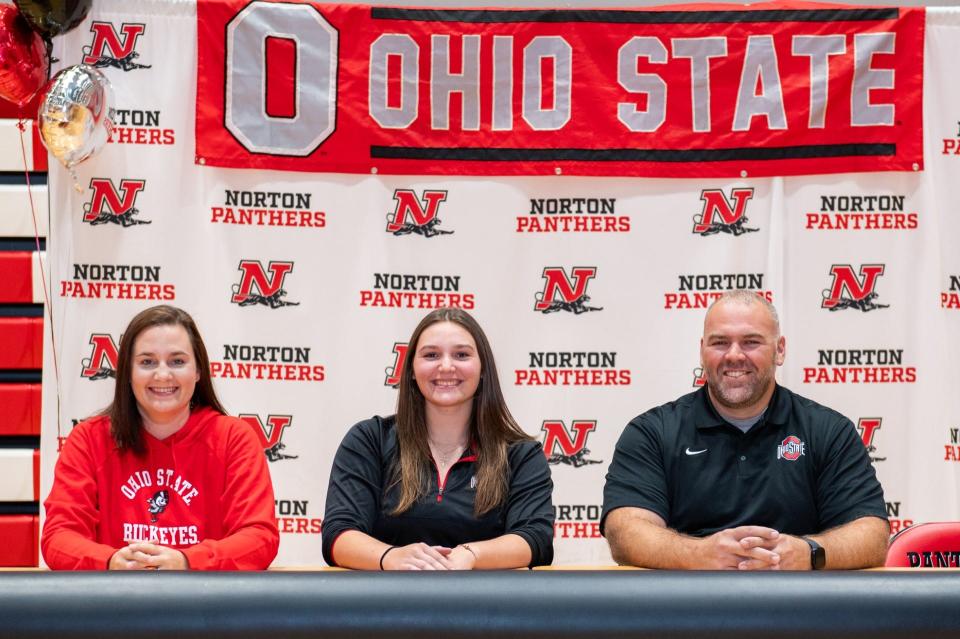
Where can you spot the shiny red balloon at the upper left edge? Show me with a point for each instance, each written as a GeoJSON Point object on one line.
{"type": "Point", "coordinates": [24, 61]}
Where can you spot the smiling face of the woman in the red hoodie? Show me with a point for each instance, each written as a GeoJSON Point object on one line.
{"type": "Point", "coordinates": [163, 374]}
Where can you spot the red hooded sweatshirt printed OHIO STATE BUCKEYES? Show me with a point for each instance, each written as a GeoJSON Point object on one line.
{"type": "Point", "coordinates": [205, 491]}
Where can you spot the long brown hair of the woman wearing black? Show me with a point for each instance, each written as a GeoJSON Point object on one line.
{"type": "Point", "coordinates": [492, 427]}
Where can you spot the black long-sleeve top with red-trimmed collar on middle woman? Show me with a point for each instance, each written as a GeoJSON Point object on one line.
{"type": "Point", "coordinates": [358, 497]}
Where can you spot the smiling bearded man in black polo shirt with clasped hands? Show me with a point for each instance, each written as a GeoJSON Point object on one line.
{"type": "Point", "coordinates": [743, 474]}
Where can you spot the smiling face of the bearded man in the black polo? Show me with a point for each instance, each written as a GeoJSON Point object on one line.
{"type": "Point", "coordinates": [740, 351]}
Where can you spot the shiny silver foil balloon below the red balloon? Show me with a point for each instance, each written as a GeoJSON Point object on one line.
{"type": "Point", "coordinates": [76, 116]}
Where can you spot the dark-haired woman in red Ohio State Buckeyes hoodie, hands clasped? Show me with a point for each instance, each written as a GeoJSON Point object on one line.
{"type": "Point", "coordinates": [163, 478]}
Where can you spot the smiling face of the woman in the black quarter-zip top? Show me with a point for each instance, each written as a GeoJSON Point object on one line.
{"type": "Point", "coordinates": [446, 365]}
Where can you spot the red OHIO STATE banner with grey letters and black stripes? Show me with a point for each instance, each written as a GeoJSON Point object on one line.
{"type": "Point", "coordinates": [722, 90]}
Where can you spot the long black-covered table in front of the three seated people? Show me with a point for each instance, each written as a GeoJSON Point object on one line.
{"type": "Point", "coordinates": [541, 604]}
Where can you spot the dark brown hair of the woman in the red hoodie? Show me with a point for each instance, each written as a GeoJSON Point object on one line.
{"type": "Point", "coordinates": [126, 424]}
